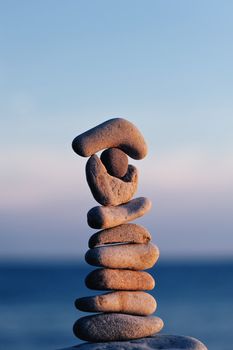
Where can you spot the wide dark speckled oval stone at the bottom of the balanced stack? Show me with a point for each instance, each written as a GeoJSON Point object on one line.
{"type": "Point", "coordinates": [113, 326]}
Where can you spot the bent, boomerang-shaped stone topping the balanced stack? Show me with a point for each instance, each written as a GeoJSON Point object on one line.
{"type": "Point", "coordinates": [116, 132]}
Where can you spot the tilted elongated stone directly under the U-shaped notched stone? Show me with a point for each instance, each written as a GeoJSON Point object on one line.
{"type": "Point", "coordinates": [106, 217]}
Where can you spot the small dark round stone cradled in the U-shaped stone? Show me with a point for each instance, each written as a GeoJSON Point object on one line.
{"type": "Point", "coordinates": [115, 161]}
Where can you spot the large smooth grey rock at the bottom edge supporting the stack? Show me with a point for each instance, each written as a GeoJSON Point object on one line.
{"type": "Point", "coordinates": [160, 341]}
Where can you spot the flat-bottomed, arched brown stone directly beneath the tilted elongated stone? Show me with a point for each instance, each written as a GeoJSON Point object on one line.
{"type": "Point", "coordinates": [126, 233]}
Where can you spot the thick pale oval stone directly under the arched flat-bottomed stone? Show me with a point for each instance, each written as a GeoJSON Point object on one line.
{"type": "Point", "coordinates": [124, 256]}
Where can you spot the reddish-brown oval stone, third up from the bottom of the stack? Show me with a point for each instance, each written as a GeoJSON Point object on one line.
{"type": "Point", "coordinates": [114, 279]}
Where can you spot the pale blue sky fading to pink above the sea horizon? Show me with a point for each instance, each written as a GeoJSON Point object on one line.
{"type": "Point", "coordinates": [66, 66]}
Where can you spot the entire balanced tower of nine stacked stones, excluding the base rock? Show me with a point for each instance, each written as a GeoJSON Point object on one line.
{"type": "Point", "coordinates": [120, 250]}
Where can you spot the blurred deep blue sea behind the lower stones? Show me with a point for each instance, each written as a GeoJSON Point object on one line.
{"type": "Point", "coordinates": [37, 311]}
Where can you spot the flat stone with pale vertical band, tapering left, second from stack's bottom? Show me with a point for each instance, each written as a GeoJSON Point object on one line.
{"type": "Point", "coordinates": [134, 303]}
